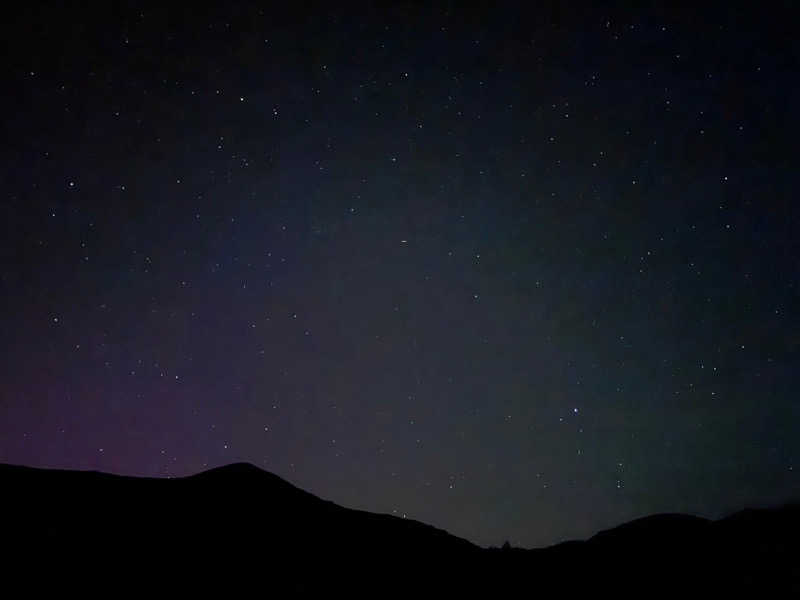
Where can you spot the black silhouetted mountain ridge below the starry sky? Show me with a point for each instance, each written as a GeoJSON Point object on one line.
{"type": "Point", "coordinates": [240, 528]}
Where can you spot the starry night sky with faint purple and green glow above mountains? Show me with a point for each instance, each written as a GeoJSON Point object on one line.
{"type": "Point", "coordinates": [520, 276]}
